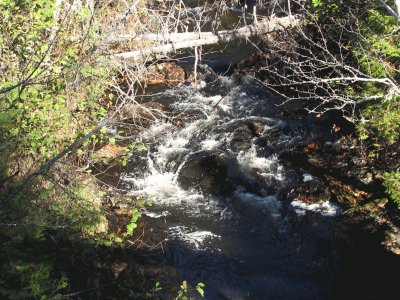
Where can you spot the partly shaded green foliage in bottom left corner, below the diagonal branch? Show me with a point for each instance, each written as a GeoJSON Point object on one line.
{"type": "Point", "coordinates": [40, 240]}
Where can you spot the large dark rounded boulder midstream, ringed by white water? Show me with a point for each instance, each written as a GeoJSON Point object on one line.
{"type": "Point", "coordinates": [214, 172]}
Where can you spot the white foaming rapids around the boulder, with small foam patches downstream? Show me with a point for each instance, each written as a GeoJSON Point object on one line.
{"type": "Point", "coordinates": [207, 128]}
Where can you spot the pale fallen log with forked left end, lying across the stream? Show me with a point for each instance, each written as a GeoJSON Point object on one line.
{"type": "Point", "coordinates": [163, 44]}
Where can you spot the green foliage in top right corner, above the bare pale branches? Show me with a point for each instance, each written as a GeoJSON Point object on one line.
{"type": "Point", "coordinates": [366, 29]}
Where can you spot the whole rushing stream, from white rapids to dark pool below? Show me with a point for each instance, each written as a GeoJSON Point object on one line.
{"type": "Point", "coordinates": [220, 193]}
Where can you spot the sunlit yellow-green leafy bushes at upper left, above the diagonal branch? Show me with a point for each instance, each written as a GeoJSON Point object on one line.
{"type": "Point", "coordinates": [57, 83]}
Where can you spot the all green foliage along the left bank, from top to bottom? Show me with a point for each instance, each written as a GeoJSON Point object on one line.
{"type": "Point", "coordinates": [51, 88]}
